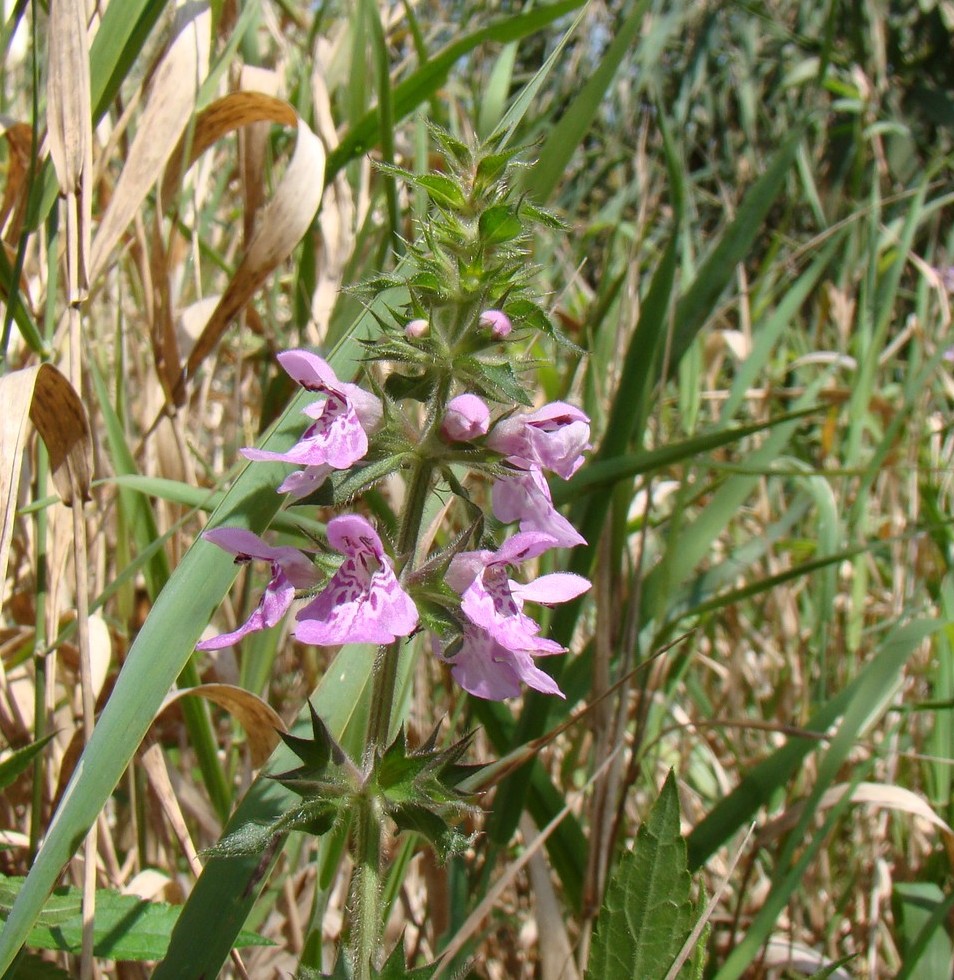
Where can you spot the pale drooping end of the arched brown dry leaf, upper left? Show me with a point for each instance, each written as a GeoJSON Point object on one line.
{"type": "Point", "coordinates": [285, 221]}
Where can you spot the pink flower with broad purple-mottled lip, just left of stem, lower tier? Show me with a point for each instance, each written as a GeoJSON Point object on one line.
{"type": "Point", "coordinates": [363, 602]}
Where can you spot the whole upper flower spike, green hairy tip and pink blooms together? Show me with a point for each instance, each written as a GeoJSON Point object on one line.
{"type": "Point", "coordinates": [453, 354]}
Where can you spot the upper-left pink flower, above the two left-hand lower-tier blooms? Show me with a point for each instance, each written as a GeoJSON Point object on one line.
{"type": "Point", "coordinates": [338, 437]}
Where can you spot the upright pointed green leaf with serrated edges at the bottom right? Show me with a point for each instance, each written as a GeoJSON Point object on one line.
{"type": "Point", "coordinates": [648, 913]}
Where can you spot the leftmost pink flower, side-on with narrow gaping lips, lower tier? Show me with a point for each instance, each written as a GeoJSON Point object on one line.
{"type": "Point", "coordinates": [291, 570]}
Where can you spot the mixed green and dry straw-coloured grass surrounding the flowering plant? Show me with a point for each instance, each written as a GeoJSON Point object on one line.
{"type": "Point", "coordinates": [758, 270]}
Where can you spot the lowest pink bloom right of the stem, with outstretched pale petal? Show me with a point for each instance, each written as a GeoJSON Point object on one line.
{"type": "Point", "coordinates": [499, 640]}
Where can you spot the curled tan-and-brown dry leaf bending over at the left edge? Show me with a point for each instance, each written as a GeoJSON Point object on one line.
{"type": "Point", "coordinates": [44, 395]}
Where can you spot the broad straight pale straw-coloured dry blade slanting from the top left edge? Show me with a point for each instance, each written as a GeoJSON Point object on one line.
{"type": "Point", "coordinates": [170, 107]}
